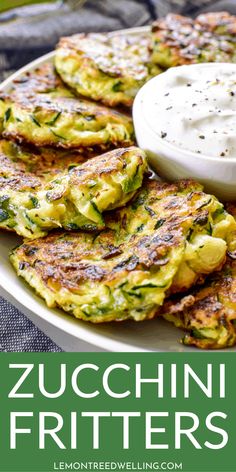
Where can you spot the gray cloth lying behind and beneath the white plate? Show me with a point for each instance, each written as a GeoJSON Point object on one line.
{"type": "Point", "coordinates": [21, 42]}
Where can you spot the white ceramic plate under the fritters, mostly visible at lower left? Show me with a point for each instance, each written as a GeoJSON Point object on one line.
{"type": "Point", "coordinates": [66, 331]}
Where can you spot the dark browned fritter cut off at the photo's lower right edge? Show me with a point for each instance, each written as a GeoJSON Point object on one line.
{"type": "Point", "coordinates": [209, 312]}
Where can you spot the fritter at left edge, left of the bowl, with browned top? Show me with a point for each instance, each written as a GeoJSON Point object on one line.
{"type": "Point", "coordinates": [42, 111]}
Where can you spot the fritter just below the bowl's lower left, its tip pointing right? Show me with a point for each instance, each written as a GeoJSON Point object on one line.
{"type": "Point", "coordinates": [75, 199]}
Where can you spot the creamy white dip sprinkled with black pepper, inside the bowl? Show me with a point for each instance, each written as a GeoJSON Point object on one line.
{"type": "Point", "coordinates": [195, 109]}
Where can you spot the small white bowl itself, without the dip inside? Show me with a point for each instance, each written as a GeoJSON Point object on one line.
{"type": "Point", "coordinates": [218, 175]}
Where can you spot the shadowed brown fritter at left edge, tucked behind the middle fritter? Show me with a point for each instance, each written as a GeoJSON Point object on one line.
{"type": "Point", "coordinates": [24, 171]}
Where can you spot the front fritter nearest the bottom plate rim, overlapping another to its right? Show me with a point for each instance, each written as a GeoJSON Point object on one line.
{"type": "Point", "coordinates": [96, 277]}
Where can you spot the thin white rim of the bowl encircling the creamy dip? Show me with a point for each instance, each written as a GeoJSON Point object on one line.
{"type": "Point", "coordinates": [139, 105]}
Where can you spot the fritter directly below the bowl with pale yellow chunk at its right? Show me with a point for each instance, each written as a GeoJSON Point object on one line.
{"type": "Point", "coordinates": [202, 218]}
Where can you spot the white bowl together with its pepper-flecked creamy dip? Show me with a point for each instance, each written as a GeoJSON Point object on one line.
{"type": "Point", "coordinates": [185, 119]}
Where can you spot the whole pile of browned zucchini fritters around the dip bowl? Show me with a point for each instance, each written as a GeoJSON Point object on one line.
{"type": "Point", "coordinates": [121, 245]}
